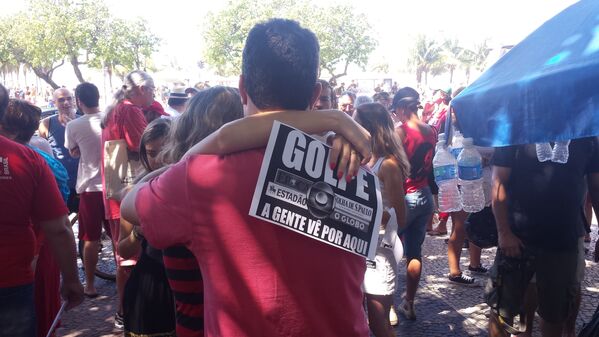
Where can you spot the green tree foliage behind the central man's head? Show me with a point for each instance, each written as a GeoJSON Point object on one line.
{"type": "Point", "coordinates": [344, 36]}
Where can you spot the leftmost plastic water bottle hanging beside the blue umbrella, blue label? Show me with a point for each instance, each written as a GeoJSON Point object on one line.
{"type": "Point", "coordinates": [445, 170]}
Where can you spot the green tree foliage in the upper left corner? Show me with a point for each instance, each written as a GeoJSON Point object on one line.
{"type": "Point", "coordinates": [50, 32]}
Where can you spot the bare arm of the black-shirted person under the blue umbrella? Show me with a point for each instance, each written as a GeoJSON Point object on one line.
{"type": "Point", "coordinates": [509, 244]}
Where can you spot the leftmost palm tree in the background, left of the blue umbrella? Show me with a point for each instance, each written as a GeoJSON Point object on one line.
{"type": "Point", "coordinates": [426, 57]}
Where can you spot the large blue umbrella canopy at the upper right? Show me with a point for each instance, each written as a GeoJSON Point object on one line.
{"type": "Point", "coordinates": [545, 89]}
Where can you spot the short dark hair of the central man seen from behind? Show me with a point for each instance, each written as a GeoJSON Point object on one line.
{"type": "Point", "coordinates": [280, 64]}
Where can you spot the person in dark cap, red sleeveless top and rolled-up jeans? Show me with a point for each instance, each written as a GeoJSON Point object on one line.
{"type": "Point", "coordinates": [419, 141]}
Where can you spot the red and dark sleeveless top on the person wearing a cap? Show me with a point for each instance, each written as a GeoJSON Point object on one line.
{"type": "Point", "coordinates": [420, 150]}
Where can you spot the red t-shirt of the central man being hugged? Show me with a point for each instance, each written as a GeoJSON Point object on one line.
{"type": "Point", "coordinates": [259, 279]}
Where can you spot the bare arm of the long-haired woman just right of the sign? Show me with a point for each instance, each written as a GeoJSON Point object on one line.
{"type": "Point", "coordinates": [390, 175]}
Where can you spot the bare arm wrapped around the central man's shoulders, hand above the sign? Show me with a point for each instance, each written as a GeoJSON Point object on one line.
{"type": "Point", "coordinates": [253, 132]}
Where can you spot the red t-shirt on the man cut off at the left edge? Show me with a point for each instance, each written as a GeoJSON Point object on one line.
{"type": "Point", "coordinates": [28, 194]}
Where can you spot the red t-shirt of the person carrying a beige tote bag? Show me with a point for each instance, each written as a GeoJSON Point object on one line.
{"type": "Point", "coordinates": [126, 122]}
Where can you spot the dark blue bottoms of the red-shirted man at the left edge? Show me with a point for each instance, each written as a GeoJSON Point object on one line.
{"type": "Point", "coordinates": [17, 311]}
